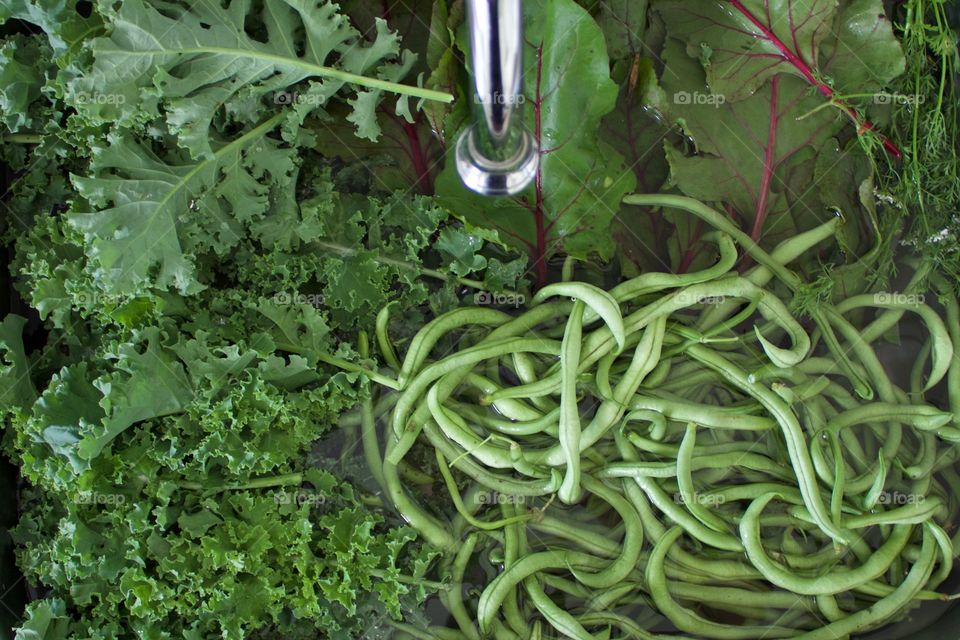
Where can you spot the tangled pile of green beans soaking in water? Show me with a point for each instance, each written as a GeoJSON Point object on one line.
{"type": "Point", "coordinates": [677, 455]}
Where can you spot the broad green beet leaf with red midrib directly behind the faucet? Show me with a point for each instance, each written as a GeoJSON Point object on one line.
{"type": "Point", "coordinates": [581, 179]}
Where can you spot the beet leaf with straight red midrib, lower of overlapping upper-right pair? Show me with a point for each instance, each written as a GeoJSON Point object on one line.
{"type": "Point", "coordinates": [747, 151]}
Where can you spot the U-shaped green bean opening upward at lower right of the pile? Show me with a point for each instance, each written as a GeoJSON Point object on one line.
{"type": "Point", "coordinates": [835, 582]}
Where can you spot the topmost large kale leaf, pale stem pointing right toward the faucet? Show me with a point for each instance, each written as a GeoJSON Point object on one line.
{"type": "Point", "coordinates": [202, 65]}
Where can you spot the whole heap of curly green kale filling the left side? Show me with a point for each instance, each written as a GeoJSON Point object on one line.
{"type": "Point", "coordinates": [198, 256]}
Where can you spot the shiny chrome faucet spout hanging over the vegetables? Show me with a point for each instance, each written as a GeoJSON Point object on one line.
{"type": "Point", "coordinates": [497, 155]}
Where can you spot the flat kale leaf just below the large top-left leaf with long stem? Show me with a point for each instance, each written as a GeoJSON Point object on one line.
{"type": "Point", "coordinates": [144, 213]}
